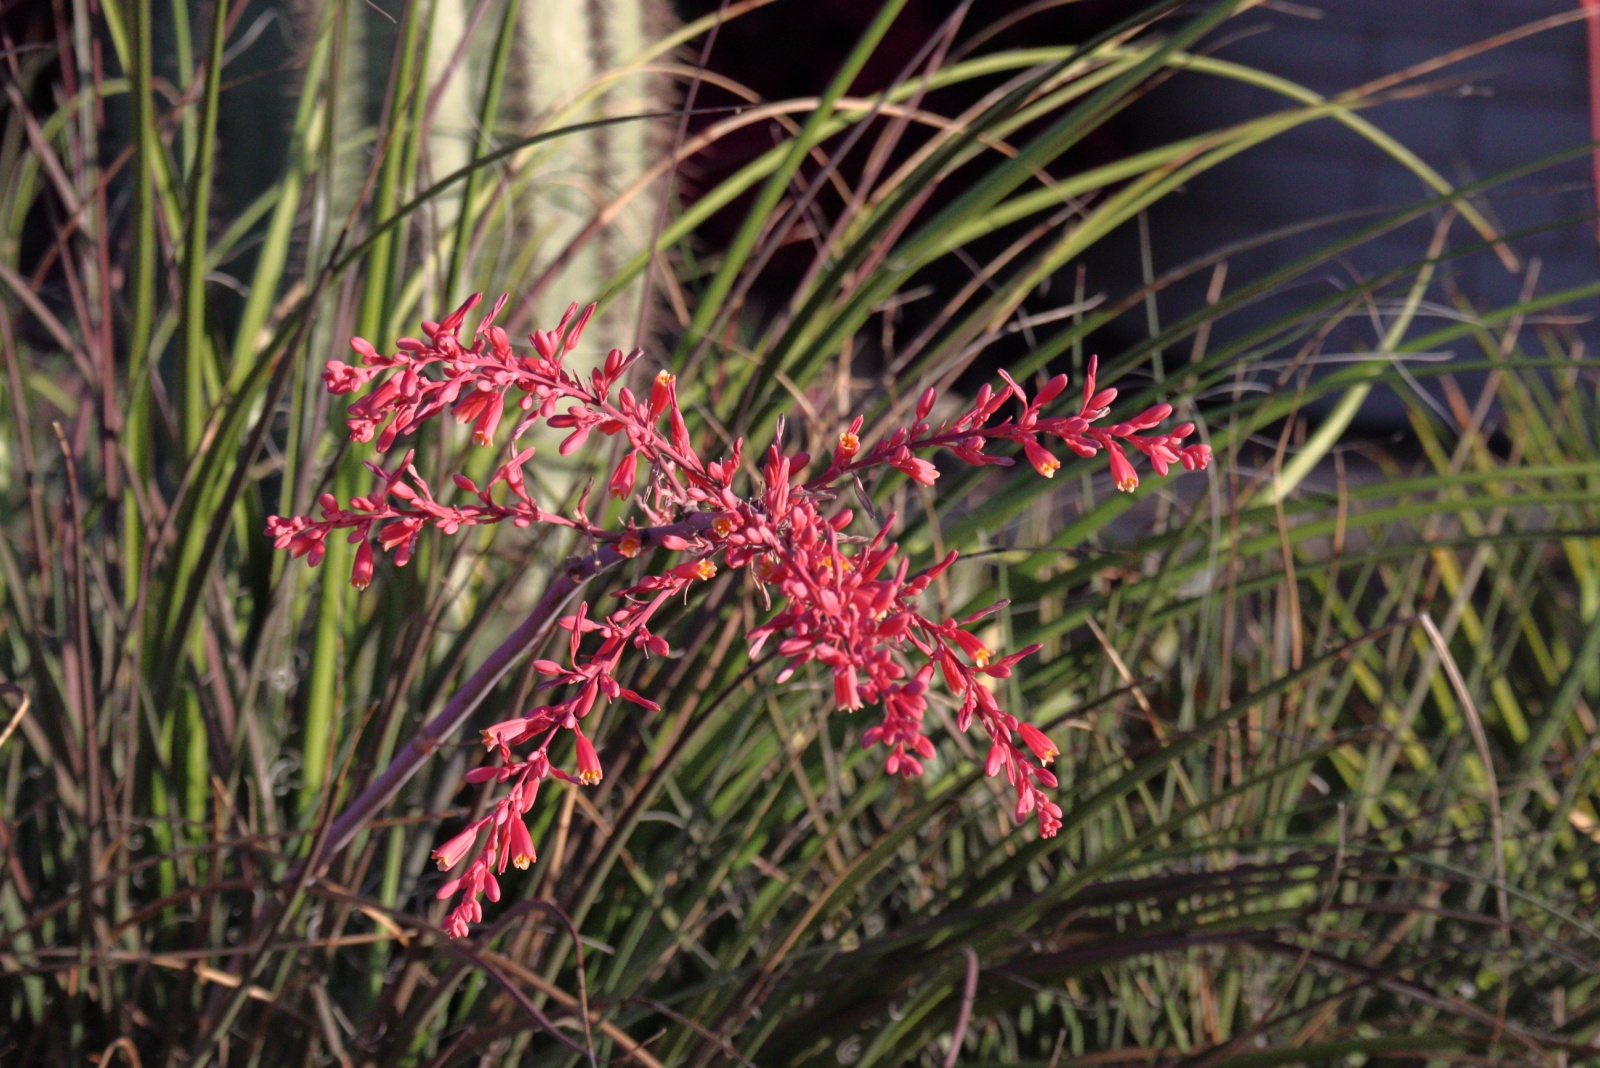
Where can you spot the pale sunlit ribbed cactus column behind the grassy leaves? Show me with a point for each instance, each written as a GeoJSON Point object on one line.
{"type": "Point", "coordinates": [535, 66]}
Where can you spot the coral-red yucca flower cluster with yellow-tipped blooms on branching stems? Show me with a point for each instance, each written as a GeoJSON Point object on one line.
{"type": "Point", "coordinates": [842, 602]}
